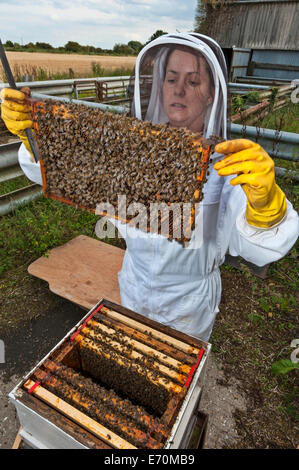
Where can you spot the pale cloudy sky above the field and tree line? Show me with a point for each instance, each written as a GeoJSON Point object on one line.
{"type": "Point", "coordinates": [99, 23]}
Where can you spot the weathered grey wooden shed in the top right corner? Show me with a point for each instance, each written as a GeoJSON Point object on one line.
{"type": "Point", "coordinates": [259, 37]}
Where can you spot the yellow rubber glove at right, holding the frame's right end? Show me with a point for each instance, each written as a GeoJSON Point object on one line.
{"type": "Point", "coordinates": [266, 202]}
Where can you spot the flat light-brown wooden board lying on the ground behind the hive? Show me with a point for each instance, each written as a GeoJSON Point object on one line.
{"type": "Point", "coordinates": [83, 271]}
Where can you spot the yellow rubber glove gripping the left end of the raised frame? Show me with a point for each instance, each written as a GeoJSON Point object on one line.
{"type": "Point", "coordinates": [16, 113]}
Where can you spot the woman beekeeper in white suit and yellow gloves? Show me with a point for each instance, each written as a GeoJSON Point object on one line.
{"type": "Point", "coordinates": [243, 211]}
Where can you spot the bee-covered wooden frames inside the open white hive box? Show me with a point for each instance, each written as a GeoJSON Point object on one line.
{"type": "Point", "coordinates": [63, 379]}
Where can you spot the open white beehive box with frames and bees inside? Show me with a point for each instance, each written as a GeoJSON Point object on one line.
{"type": "Point", "coordinates": [117, 380]}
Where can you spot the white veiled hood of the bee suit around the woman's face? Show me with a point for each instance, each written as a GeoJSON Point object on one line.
{"type": "Point", "coordinates": [147, 80]}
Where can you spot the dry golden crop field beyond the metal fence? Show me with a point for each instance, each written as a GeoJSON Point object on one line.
{"type": "Point", "coordinates": [60, 63]}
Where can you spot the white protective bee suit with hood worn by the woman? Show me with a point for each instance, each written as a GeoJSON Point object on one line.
{"type": "Point", "coordinates": [177, 286]}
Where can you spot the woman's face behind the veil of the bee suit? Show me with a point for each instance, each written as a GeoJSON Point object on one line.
{"type": "Point", "coordinates": [187, 90]}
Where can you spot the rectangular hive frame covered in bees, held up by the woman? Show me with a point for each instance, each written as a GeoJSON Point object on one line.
{"type": "Point", "coordinates": [90, 156]}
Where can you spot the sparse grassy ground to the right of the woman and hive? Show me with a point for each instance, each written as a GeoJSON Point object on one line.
{"type": "Point", "coordinates": [254, 330]}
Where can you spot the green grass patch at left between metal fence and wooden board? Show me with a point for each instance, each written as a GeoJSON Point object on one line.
{"type": "Point", "coordinates": [30, 231]}
